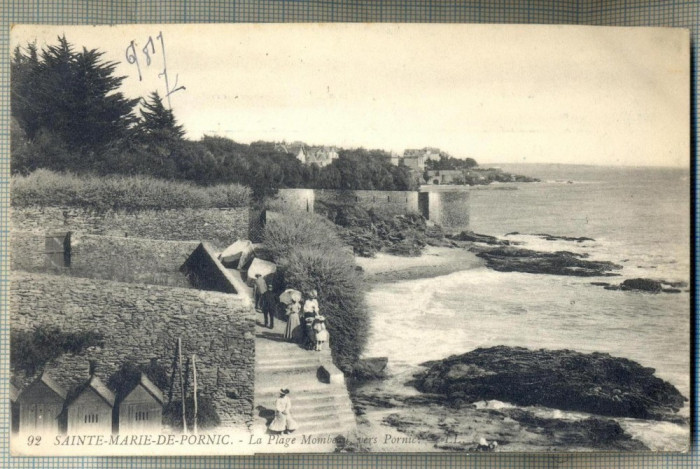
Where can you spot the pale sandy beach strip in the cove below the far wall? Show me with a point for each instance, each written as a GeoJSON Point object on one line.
{"type": "Point", "coordinates": [434, 262]}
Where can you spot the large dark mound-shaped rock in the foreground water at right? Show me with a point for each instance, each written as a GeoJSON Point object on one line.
{"type": "Point", "coordinates": [562, 379]}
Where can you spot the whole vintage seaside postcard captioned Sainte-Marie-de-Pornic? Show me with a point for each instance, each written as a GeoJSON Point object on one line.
{"type": "Point", "coordinates": [241, 239]}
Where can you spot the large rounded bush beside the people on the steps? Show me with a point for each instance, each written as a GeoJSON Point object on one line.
{"type": "Point", "coordinates": [311, 256]}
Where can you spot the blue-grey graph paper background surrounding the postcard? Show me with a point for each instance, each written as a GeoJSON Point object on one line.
{"type": "Point", "coordinates": [676, 13]}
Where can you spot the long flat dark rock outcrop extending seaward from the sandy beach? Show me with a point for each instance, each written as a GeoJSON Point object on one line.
{"type": "Point", "coordinates": [512, 259]}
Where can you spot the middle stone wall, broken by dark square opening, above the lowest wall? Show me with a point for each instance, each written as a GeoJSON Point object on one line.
{"type": "Point", "coordinates": [135, 260]}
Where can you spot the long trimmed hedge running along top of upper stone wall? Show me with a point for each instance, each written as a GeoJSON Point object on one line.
{"type": "Point", "coordinates": [48, 188]}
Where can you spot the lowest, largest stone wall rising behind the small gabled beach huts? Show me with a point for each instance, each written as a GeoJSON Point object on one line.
{"type": "Point", "coordinates": [141, 323]}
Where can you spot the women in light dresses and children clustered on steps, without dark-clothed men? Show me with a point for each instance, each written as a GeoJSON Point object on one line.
{"type": "Point", "coordinates": [313, 333]}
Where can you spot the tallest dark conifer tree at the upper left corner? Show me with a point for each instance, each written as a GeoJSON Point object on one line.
{"type": "Point", "coordinates": [71, 95]}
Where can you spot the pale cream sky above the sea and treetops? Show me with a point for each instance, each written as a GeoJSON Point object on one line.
{"type": "Point", "coordinates": [495, 93]}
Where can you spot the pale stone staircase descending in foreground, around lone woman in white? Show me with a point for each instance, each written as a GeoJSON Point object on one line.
{"type": "Point", "coordinates": [320, 401]}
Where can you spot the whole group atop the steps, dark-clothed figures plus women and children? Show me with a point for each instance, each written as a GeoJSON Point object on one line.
{"type": "Point", "coordinates": [305, 324]}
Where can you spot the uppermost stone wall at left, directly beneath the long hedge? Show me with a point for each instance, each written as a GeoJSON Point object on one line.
{"type": "Point", "coordinates": [219, 226]}
